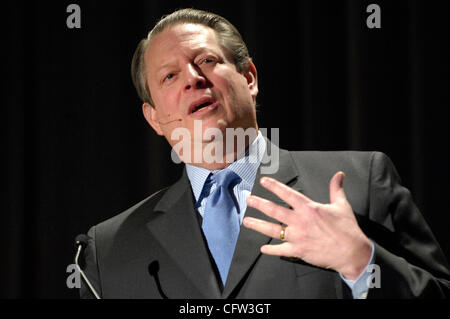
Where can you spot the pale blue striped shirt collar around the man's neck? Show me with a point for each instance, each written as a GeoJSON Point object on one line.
{"type": "Point", "coordinates": [246, 167]}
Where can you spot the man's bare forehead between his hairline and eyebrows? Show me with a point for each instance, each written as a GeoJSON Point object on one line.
{"type": "Point", "coordinates": [180, 39]}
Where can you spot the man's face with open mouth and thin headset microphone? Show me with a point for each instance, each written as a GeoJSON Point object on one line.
{"type": "Point", "coordinates": [191, 77]}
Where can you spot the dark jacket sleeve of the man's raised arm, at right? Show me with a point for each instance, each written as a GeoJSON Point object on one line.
{"type": "Point", "coordinates": [413, 265]}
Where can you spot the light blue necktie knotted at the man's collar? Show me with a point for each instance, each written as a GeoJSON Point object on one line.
{"type": "Point", "coordinates": [221, 221]}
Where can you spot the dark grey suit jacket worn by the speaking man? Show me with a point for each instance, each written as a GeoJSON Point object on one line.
{"type": "Point", "coordinates": [156, 249]}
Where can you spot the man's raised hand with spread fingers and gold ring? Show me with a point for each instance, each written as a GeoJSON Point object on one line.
{"type": "Point", "coordinates": [324, 235]}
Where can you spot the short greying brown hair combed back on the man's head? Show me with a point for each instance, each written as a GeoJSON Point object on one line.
{"type": "Point", "coordinates": [229, 38]}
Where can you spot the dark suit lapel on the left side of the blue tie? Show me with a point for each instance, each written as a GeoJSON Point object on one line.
{"type": "Point", "coordinates": [185, 243]}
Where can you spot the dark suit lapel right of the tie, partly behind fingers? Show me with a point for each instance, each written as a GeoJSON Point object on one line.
{"type": "Point", "coordinates": [249, 242]}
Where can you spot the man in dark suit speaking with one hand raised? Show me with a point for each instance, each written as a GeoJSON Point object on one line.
{"type": "Point", "coordinates": [288, 232]}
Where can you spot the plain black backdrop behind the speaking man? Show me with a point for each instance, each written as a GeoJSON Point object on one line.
{"type": "Point", "coordinates": [76, 149]}
